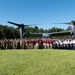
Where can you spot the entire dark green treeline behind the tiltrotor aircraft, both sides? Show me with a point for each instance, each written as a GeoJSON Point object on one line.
{"type": "Point", "coordinates": [11, 32]}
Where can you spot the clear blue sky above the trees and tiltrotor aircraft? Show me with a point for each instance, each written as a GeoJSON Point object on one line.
{"type": "Point", "coordinates": [42, 12]}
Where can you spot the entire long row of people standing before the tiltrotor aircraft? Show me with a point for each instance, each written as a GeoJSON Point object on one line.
{"type": "Point", "coordinates": [37, 43]}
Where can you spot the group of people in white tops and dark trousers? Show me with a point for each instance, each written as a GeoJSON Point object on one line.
{"type": "Point", "coordinates": [64, 44]}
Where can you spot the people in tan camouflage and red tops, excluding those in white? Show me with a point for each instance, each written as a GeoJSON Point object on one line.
{"type": "Point", "coordinates": [34, 43]}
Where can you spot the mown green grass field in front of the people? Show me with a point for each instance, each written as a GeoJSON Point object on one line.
{"type": "Point", "coordinates": [37, 62]}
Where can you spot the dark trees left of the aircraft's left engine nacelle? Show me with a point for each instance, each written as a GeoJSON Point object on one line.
{"type": "Point", "coordinates": [8, 32]}
